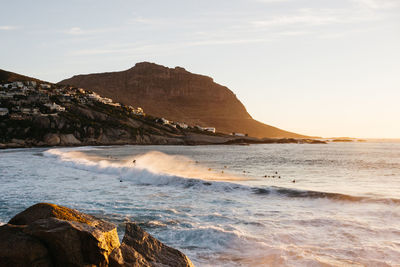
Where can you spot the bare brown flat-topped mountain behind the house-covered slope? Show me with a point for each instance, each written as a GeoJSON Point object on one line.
{"type": "Point", "coordinates": [178, 95]}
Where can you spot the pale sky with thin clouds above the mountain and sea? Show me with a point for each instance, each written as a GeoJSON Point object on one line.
{"type": "Point", "coordinates": [326, 68]}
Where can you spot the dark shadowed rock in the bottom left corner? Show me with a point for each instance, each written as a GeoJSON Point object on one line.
{"type": "Point", "coordinates": [20, 249]}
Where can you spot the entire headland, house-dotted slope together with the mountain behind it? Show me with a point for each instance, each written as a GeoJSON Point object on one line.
{"type": "Point", "coordinates": [141, 108]}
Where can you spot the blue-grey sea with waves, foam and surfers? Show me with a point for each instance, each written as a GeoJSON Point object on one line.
{"type": "Point", "coordinates": [334, 204]}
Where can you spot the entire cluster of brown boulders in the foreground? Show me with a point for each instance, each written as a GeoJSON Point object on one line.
{"type": "Point", "coordinates": [50, 235]}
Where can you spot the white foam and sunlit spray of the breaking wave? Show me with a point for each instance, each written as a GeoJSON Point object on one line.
{"type": "Point", "coordinates": [153, 168]}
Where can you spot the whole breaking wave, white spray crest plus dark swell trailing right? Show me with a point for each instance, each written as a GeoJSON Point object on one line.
{"type": "Point", "coordinates": [159, 169]}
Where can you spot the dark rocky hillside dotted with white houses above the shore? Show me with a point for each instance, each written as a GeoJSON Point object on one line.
{"type": "Point", "coordinates": [43, 114]}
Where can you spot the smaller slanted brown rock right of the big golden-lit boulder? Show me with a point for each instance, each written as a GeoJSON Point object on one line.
{"type": "Point", "coordinates": [152, 249]}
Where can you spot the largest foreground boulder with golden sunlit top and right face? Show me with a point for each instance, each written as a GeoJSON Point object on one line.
{"type": "Point", "coordinates": [73, 238]}
